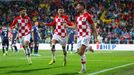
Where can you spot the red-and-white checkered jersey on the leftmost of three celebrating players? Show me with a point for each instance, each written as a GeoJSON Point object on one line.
{"type": "Point", "coordinates": [24, 27]}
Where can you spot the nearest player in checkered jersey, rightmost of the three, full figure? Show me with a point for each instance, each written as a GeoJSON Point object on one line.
{"type": "Point", "coordinates": [83, 23]}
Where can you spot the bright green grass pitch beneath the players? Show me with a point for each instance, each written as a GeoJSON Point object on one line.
{"type": "Point", "coordinates": [16, 64]}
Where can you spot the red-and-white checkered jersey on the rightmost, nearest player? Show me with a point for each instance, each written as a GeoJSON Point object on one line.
{"type": "Point", "coordinates": [83, 24]}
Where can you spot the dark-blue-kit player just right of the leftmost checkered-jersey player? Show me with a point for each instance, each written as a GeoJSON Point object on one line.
{"type": "Point", "coordinates": [36, 37]}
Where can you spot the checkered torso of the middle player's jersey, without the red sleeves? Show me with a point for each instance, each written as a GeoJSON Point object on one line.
{"type": "Point", "coordinates": [60, 29]}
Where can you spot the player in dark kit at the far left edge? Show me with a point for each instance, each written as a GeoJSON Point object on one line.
{"type": "Point", "coordinates": [5, 40]}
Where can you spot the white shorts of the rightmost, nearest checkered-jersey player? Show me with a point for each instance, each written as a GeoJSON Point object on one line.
{"type": "Point", "coordinates": [83, 41]}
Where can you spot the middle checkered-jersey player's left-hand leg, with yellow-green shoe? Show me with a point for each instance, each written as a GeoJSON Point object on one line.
{"type": "Point", "coordinates": [54, 40]}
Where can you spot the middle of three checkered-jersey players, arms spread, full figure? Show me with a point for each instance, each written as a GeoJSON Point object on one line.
{"type": "Point", "coordinates": [59, 33]}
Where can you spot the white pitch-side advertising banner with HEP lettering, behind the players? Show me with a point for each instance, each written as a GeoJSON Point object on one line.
{"type": "Point", "coordinates": [94, 46]}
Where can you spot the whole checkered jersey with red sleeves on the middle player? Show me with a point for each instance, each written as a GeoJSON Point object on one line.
{"type": "Point", "coordinates": [58, 21]}
